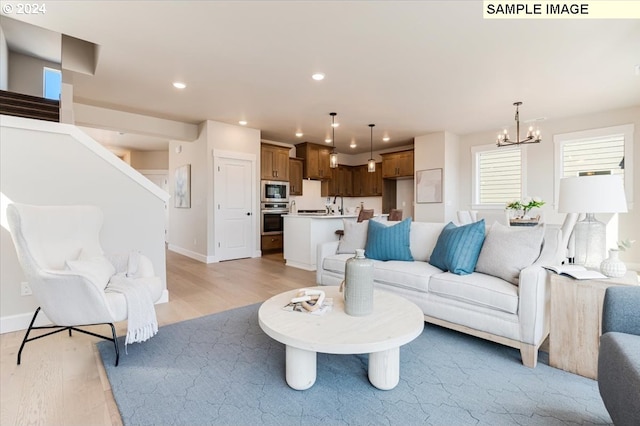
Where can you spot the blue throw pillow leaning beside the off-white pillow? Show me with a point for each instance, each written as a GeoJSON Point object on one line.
{"type": "Point", "coordinates": [458, 248]}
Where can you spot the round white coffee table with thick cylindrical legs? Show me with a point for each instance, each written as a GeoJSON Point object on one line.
{"type": "Point", "coordinates": [394, 322]}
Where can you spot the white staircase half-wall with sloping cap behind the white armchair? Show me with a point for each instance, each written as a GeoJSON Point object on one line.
{"type": "Point", "coordinates": [55, 164]}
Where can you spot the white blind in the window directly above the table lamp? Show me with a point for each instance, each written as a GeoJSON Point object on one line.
{"type": "Point", "coordinates": [599, 154]}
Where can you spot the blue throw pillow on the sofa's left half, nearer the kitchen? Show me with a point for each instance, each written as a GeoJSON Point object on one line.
{"type": "Point", "coordinates": [388, 242]}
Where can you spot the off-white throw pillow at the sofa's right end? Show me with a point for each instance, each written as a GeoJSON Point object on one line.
{"type": "Point", "coordinates": [508, 250]}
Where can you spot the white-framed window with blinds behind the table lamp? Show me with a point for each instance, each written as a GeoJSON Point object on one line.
{"type": "Point", "coordinates": [606, 150]}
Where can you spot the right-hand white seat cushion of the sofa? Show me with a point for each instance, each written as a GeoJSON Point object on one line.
{"type": "Point", "coordinates": [477, 289]}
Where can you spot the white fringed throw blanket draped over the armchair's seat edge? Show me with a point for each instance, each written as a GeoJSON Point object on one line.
{"type": "Point", "coordinates": [141, 313]}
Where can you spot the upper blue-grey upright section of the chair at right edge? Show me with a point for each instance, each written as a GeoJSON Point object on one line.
{"type": "Point", "coordinates": [621, 310]}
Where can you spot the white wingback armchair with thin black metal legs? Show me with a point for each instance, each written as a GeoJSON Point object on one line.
{"type": "Point", "coordinates": [50, 238]}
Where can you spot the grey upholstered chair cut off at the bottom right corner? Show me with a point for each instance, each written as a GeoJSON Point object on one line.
{"type": "Point", "coordinates": [619, 358]}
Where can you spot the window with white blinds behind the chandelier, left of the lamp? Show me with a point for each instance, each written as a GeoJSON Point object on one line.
{"type": "Point", "coordinates": [497, 175]}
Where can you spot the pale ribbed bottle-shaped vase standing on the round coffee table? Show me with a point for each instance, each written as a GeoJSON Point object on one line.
{"type": "Point", "coordinates": [358, 285]}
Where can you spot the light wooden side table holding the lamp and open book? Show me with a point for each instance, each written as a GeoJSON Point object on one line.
{"type": "Point", "coordinates": [576, 321]}
